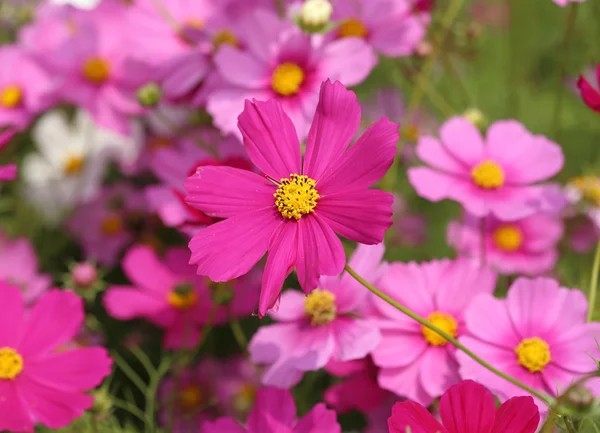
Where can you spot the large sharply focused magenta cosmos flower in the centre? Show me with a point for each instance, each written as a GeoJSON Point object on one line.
{"type": "Point", "coordinates": [295, 210]}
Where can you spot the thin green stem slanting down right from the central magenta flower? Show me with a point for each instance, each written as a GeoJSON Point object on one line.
{"type": "Point", "coordinates": [448, 337]}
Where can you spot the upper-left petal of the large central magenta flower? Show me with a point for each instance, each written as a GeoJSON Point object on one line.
{"type": "Point", "coordinates": [270, 138]}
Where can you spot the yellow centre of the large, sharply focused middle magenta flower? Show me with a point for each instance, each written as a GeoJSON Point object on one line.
{"type": "Point", "coordinates": [296, 196]}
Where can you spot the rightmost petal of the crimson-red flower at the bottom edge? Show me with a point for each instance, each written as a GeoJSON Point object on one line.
{"type": "Point", "coordinates": [517, 415]}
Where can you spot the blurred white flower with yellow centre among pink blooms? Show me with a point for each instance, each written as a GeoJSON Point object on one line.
{"type": "Point", "coordinates": [70, 164]}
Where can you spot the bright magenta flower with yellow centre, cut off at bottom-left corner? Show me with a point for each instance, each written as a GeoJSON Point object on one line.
{"type": "Point", "coordinates": [38, 383]}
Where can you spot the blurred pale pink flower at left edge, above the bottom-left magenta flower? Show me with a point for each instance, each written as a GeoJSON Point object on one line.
{"type": "Point", "coordinates": [19, 267]}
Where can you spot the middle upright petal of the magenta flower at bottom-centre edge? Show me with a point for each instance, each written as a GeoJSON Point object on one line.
{"type": "Point", "coordinates": [273, 403]}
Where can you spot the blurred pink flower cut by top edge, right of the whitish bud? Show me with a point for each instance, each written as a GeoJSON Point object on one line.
{"type": "Point", "coordinates": [393, 27]}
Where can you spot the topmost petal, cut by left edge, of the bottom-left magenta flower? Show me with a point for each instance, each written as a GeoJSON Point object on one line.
{"type": "Point", "coordinates": [12, 315]}
